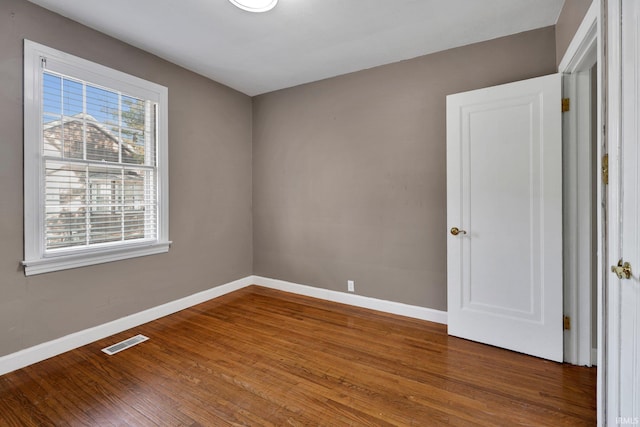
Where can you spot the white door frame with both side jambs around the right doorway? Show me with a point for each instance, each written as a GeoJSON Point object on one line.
{"type": "Point", "coordinates": [585, 49]}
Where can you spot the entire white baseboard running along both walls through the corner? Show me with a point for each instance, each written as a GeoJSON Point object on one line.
{"type": "Point", "coordinates": [43, 351]}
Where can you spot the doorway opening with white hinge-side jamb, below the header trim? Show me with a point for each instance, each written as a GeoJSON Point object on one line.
{"type": "Point", "coordinates": [580, 215]}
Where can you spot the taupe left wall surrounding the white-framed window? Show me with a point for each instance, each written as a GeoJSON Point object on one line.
{"type": "Point", "coordinates": [210, 192]}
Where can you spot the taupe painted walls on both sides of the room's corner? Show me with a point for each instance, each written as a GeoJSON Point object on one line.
{"type": "Point", "coordinates": [348, 180]}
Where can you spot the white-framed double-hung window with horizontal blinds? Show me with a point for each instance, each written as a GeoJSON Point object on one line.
{"type": "Point", "coordinates": [96, 170]}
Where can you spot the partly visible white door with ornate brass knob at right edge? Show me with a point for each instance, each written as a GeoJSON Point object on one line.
{"type": "Point", "coordinates": [623, 294]}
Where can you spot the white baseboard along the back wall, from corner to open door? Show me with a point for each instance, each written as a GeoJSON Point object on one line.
{"type": "Point", "coordinates": [356, 300]}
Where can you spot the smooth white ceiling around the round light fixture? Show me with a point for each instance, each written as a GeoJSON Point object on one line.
{"type": "Point", "coordinates": [301, 41]}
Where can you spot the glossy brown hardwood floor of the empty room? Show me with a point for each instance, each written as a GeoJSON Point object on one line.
{"type": "Point", "coordinates": [263, 357]}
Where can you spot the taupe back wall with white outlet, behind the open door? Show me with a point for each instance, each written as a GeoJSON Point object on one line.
{"type": "Point", "coordinates": [349, 173]}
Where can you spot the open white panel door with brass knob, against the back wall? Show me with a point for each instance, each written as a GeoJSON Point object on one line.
{"type": "Point", "coordinates": [504, 194]}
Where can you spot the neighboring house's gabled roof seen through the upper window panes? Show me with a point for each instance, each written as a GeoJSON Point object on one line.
{"type": "Point", "coordinates": [66, 136]}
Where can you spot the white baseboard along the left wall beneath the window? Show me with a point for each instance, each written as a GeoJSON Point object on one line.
{"type": "Point", "coordinates": [43, 351]}
